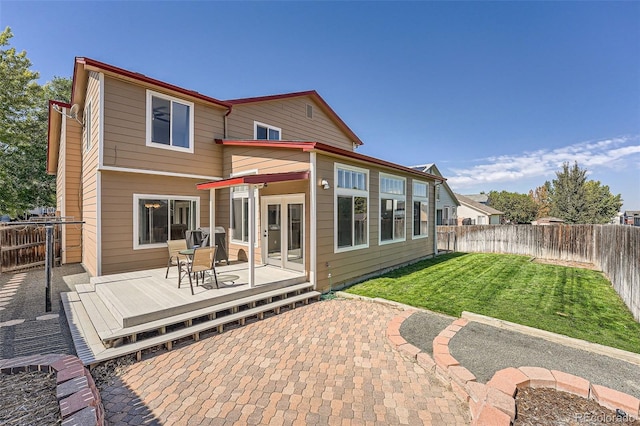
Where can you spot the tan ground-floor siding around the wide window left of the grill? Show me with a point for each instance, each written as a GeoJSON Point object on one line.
{"type": "Point", "coordinates": [118, 189]}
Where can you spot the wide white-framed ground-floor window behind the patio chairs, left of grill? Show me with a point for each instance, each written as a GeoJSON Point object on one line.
{"type": "Point", "coordinates": [158, 218]}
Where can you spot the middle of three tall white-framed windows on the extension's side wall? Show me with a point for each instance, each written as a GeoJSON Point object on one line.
{"type": "Point", "coordinates": [392, 208]}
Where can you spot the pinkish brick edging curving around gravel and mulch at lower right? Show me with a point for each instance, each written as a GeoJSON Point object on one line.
{"type": "Point", "coordinates": [494, 403]}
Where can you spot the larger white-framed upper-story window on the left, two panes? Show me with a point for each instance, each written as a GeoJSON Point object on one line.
{"type": "Point", "coordinates": [169, 122]}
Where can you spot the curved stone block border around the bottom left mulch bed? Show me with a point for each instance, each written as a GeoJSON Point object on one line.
{"type": "Point", "coordinates": [78, 397]}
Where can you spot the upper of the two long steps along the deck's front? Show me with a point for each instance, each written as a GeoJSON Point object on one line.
{"type": "Point", "coordinates": [111, 335]}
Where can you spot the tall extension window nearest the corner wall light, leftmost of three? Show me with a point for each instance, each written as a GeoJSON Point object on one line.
{"type": "Point", "coordinates": [351, 207]}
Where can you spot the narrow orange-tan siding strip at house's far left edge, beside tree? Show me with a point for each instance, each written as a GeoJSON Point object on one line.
{"type": "Point", "coordinates": [68, 186]}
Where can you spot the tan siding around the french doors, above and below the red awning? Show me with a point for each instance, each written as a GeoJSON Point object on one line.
{"type": "Point", "coordinates": [263, 161]}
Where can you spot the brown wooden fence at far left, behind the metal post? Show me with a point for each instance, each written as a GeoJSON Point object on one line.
{"type": "Point", "coordinates": [24, 246]}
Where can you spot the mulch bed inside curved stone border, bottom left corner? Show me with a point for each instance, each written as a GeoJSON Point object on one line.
{"type": "Point", "coordinates": [29, 399]}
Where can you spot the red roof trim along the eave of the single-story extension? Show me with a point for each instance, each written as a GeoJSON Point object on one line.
{"type": "Point", "coordinates": [311, 146]}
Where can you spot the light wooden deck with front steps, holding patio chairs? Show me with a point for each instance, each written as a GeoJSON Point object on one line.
{"type": "Point", "coordinates": [120, 314]}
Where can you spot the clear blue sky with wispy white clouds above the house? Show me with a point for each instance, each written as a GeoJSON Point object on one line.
{"type": "Point", "coordinates": [497, 94]}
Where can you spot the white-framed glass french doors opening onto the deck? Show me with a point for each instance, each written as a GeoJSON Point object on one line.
{"type": "Point", "coordinates": [282, 226]}
